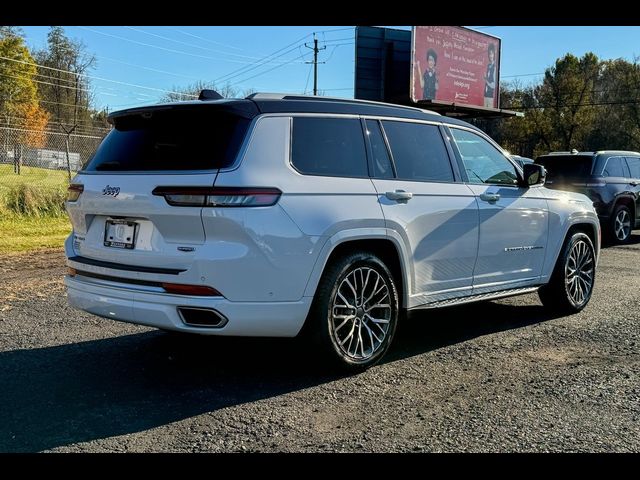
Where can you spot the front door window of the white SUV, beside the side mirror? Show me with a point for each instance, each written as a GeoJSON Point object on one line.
{"type": "Point", "coordinates": [482, 161]}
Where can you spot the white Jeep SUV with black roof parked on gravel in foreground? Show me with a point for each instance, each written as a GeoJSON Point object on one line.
{"type": "Point", "coordinates": [264, 215]}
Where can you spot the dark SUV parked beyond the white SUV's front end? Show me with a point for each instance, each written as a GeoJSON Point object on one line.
{"type": "Point", "coordinates": [611, 178]}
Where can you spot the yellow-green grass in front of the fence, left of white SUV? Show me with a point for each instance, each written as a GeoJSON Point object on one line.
{"type": "Point", "coordinates": [32, 214]}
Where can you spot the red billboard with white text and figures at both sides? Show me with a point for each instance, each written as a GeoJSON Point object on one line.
{"type": "Point", "coordinates": [455, 64]}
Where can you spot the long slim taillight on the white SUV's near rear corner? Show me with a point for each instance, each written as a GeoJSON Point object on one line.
{"type": "Point", "coordinates": [219, 196]}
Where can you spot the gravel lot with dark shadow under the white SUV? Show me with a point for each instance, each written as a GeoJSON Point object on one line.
{"type": "Point", "coordinates": [489, 377]}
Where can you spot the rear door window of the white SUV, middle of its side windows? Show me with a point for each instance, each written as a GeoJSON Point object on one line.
{"type": "Point", "coordinates": [418, 151]}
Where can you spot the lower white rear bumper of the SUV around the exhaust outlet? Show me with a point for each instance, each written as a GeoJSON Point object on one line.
{"type": "Point", "coordinates": [160, 310]}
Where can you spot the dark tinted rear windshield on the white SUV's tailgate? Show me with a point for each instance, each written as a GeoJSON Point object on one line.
{"type": "Point", "coordinates": [186, 139]}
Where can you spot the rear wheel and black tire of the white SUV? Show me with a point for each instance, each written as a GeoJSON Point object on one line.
{"type": "Point", "coordinates": [328, 336]}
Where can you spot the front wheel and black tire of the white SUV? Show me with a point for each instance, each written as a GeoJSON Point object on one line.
{"type": "Point", "coordinates": [562, 294]}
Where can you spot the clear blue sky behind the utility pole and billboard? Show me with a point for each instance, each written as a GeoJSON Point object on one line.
{"type": "Point", "coordinates": [160, 58]}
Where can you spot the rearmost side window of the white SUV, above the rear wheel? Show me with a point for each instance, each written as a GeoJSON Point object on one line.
{"type": "Point", "coordinates": [331, 147]}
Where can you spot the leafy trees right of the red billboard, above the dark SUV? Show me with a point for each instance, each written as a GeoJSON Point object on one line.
{"type": "Point", "coordinates": [574, 106]}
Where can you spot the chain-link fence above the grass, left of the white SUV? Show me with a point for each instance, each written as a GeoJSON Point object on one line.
{"type": "Point", "coordinates": [57, 157]}
